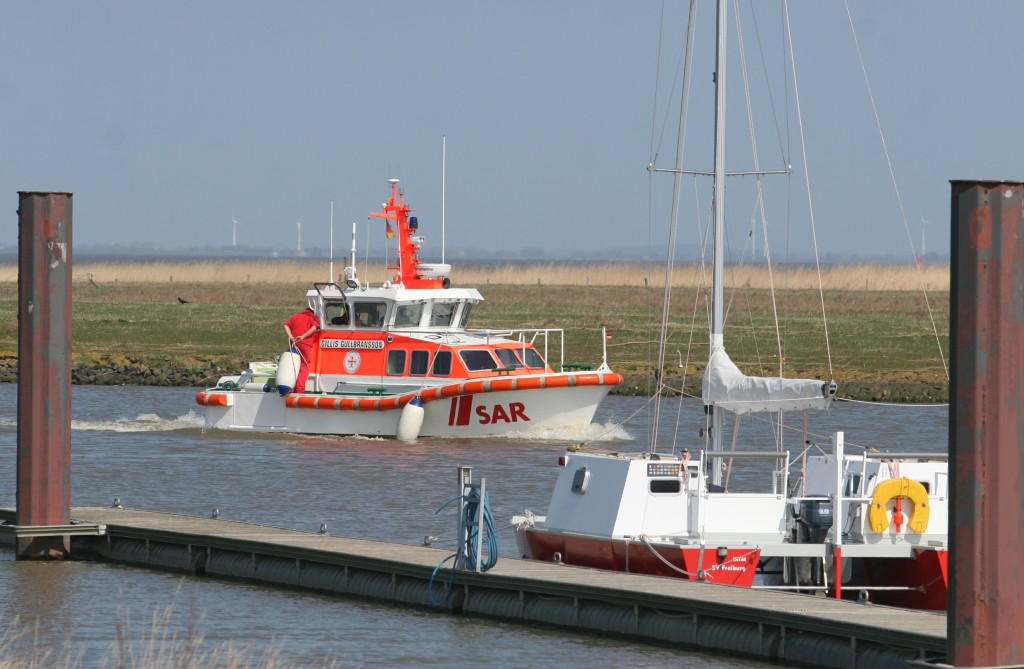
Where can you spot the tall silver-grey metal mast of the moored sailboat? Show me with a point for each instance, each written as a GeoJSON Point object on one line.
{"type": "Point", "coordinates": [718, 248]}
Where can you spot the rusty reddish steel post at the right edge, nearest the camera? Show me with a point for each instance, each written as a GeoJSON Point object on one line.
{"type": "Point", "coordinates": [986, 624]}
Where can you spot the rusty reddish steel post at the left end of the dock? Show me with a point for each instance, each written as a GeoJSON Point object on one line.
{"type": "Point", "coordinates": [45, 337]}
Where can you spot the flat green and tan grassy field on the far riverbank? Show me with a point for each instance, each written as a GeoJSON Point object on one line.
{"type": "Point", "coordinates": [880, 318]}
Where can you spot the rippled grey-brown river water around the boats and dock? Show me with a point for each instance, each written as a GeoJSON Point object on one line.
{"type": "Point", "coordinates": [146, 447]}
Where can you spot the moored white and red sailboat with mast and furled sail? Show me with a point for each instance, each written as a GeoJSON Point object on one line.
{"type": "Point", "coordinates": [858, 525]}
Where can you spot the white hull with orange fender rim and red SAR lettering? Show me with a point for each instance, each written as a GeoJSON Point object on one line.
{"type": "Point", "coordinates": [484, 408]}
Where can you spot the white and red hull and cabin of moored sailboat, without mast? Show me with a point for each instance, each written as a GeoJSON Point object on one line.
{"type": "Point", "coordinates": [645, 514]}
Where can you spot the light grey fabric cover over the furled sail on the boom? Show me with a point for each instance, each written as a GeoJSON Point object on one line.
{"type": "Point", "coordinates": [727, 387]}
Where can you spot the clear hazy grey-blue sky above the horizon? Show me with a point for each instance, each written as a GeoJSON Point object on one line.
{"type": "Point", "coordinates": [168, 120]}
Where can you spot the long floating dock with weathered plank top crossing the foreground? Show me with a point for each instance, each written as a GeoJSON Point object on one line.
{"type": "Point", "coordinates": [794, 630]}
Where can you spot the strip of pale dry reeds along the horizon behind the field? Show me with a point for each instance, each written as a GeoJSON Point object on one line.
{"type": "Point", "coordinates": [868, 277]}
